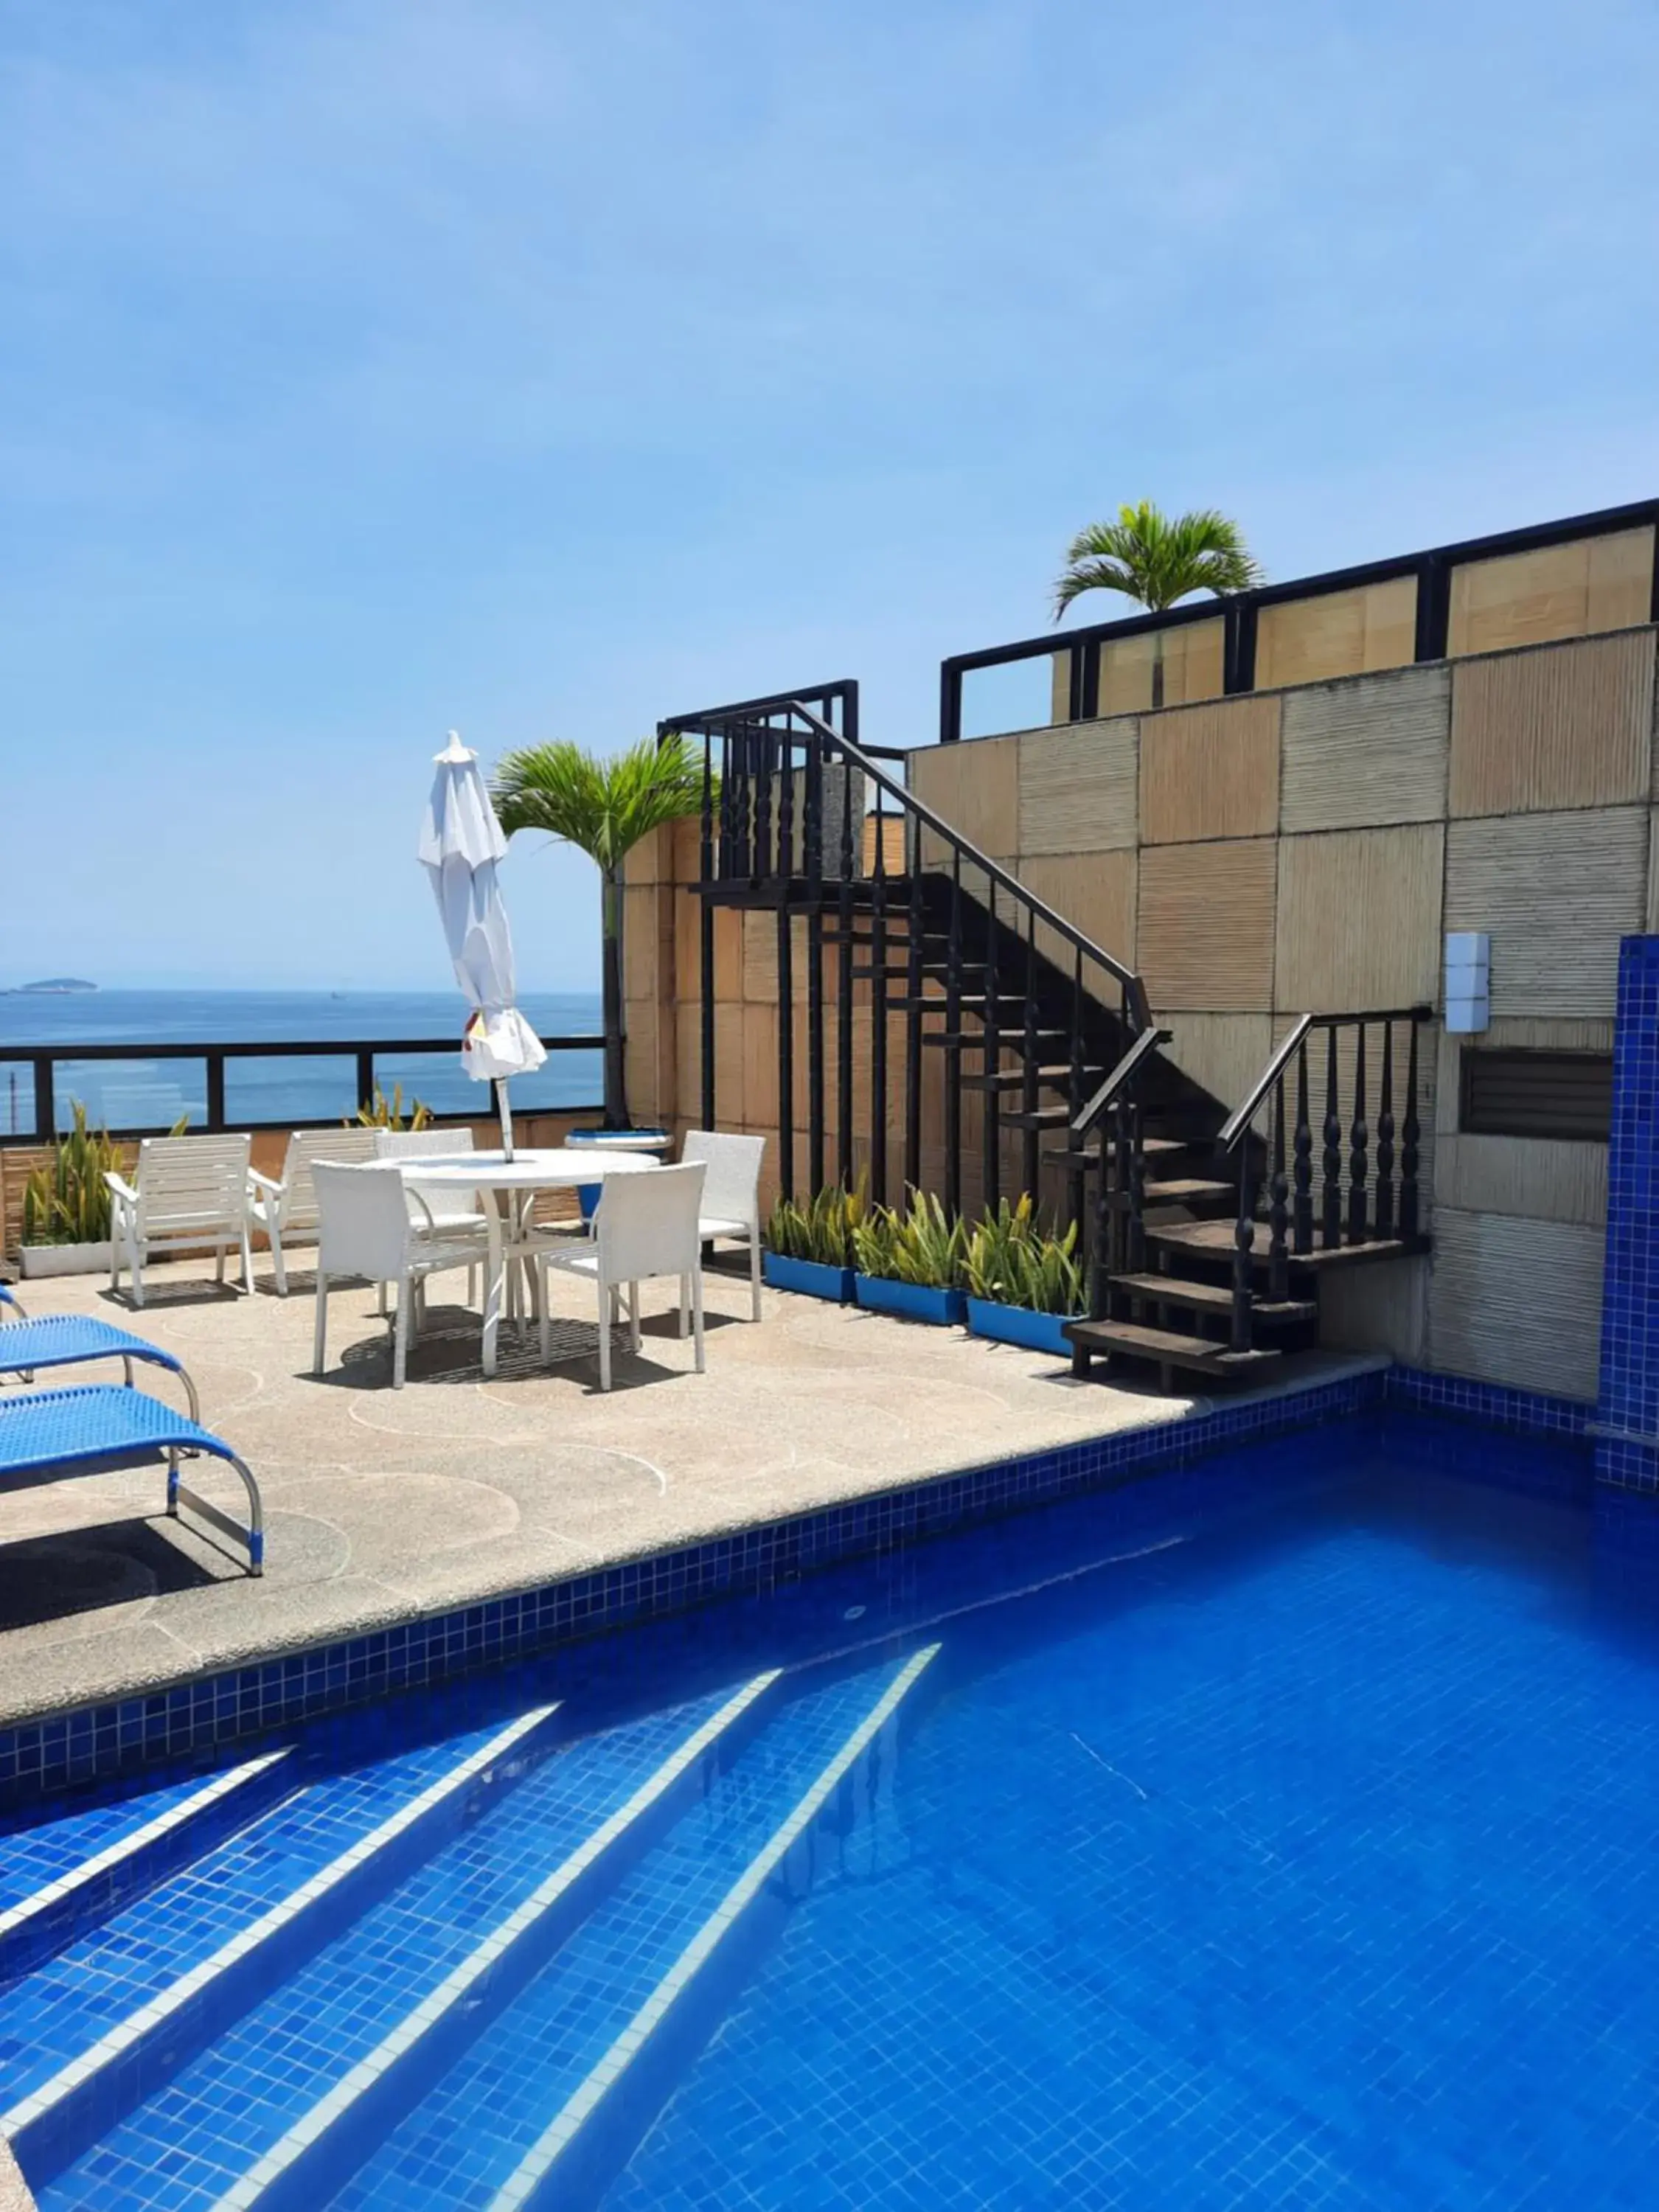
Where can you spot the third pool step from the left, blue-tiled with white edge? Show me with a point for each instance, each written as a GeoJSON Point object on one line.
{"type": "Point", "coordinates": [342, 2049]}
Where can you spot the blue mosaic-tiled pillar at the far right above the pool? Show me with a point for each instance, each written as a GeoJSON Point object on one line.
{"type": "Point", "coordinates": [1629, 1397]}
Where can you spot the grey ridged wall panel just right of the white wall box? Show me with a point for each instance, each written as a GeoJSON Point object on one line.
{"type": "Point", "coordinates": [1556, 893]}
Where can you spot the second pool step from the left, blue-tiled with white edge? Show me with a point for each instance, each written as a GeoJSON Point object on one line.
{"type": "Point", "coordinates": [160, 1983]}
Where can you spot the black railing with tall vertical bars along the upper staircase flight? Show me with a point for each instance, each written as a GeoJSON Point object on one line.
{"type": "Point", "coordinates": [786, 797]}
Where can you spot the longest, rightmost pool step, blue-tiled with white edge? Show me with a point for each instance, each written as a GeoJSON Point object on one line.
{"type": "Point", "coordinates": [576, 2069]}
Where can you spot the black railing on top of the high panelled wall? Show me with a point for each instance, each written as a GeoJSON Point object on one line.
{"type": "Point", "coordinates": [1240, 612]}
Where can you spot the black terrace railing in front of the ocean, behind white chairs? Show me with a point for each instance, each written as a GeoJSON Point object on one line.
{"type": "Point", "coordinates": [43, 1065]}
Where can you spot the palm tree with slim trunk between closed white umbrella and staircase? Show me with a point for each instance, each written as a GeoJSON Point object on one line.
{"type": "Point", "coordinates": [603, 808]}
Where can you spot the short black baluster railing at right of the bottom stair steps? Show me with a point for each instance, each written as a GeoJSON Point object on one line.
{"type": "Point", "coordinates": [1366, 1189]}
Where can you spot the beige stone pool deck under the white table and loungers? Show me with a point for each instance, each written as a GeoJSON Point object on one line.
{"type": "Point", "coordinates": [390, 1505]}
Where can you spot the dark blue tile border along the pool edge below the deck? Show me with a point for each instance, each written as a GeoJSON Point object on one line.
{"type": "Point", "coordinates": [39, 1757]}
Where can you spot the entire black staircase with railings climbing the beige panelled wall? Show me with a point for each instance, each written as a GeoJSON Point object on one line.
{"type": "Point", "coordinates": [1204, 1235]}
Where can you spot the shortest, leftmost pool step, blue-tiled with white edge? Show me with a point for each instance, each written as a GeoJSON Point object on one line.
{"type": "Point", "coordinates": [163, 1830]}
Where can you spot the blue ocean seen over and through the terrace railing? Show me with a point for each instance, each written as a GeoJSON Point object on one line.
{"type": "Point", "coordinates": [154, 1094]}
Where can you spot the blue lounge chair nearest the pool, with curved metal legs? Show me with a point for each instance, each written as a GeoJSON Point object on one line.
{"type": "Point", "coordinates": [107, 1426]}
